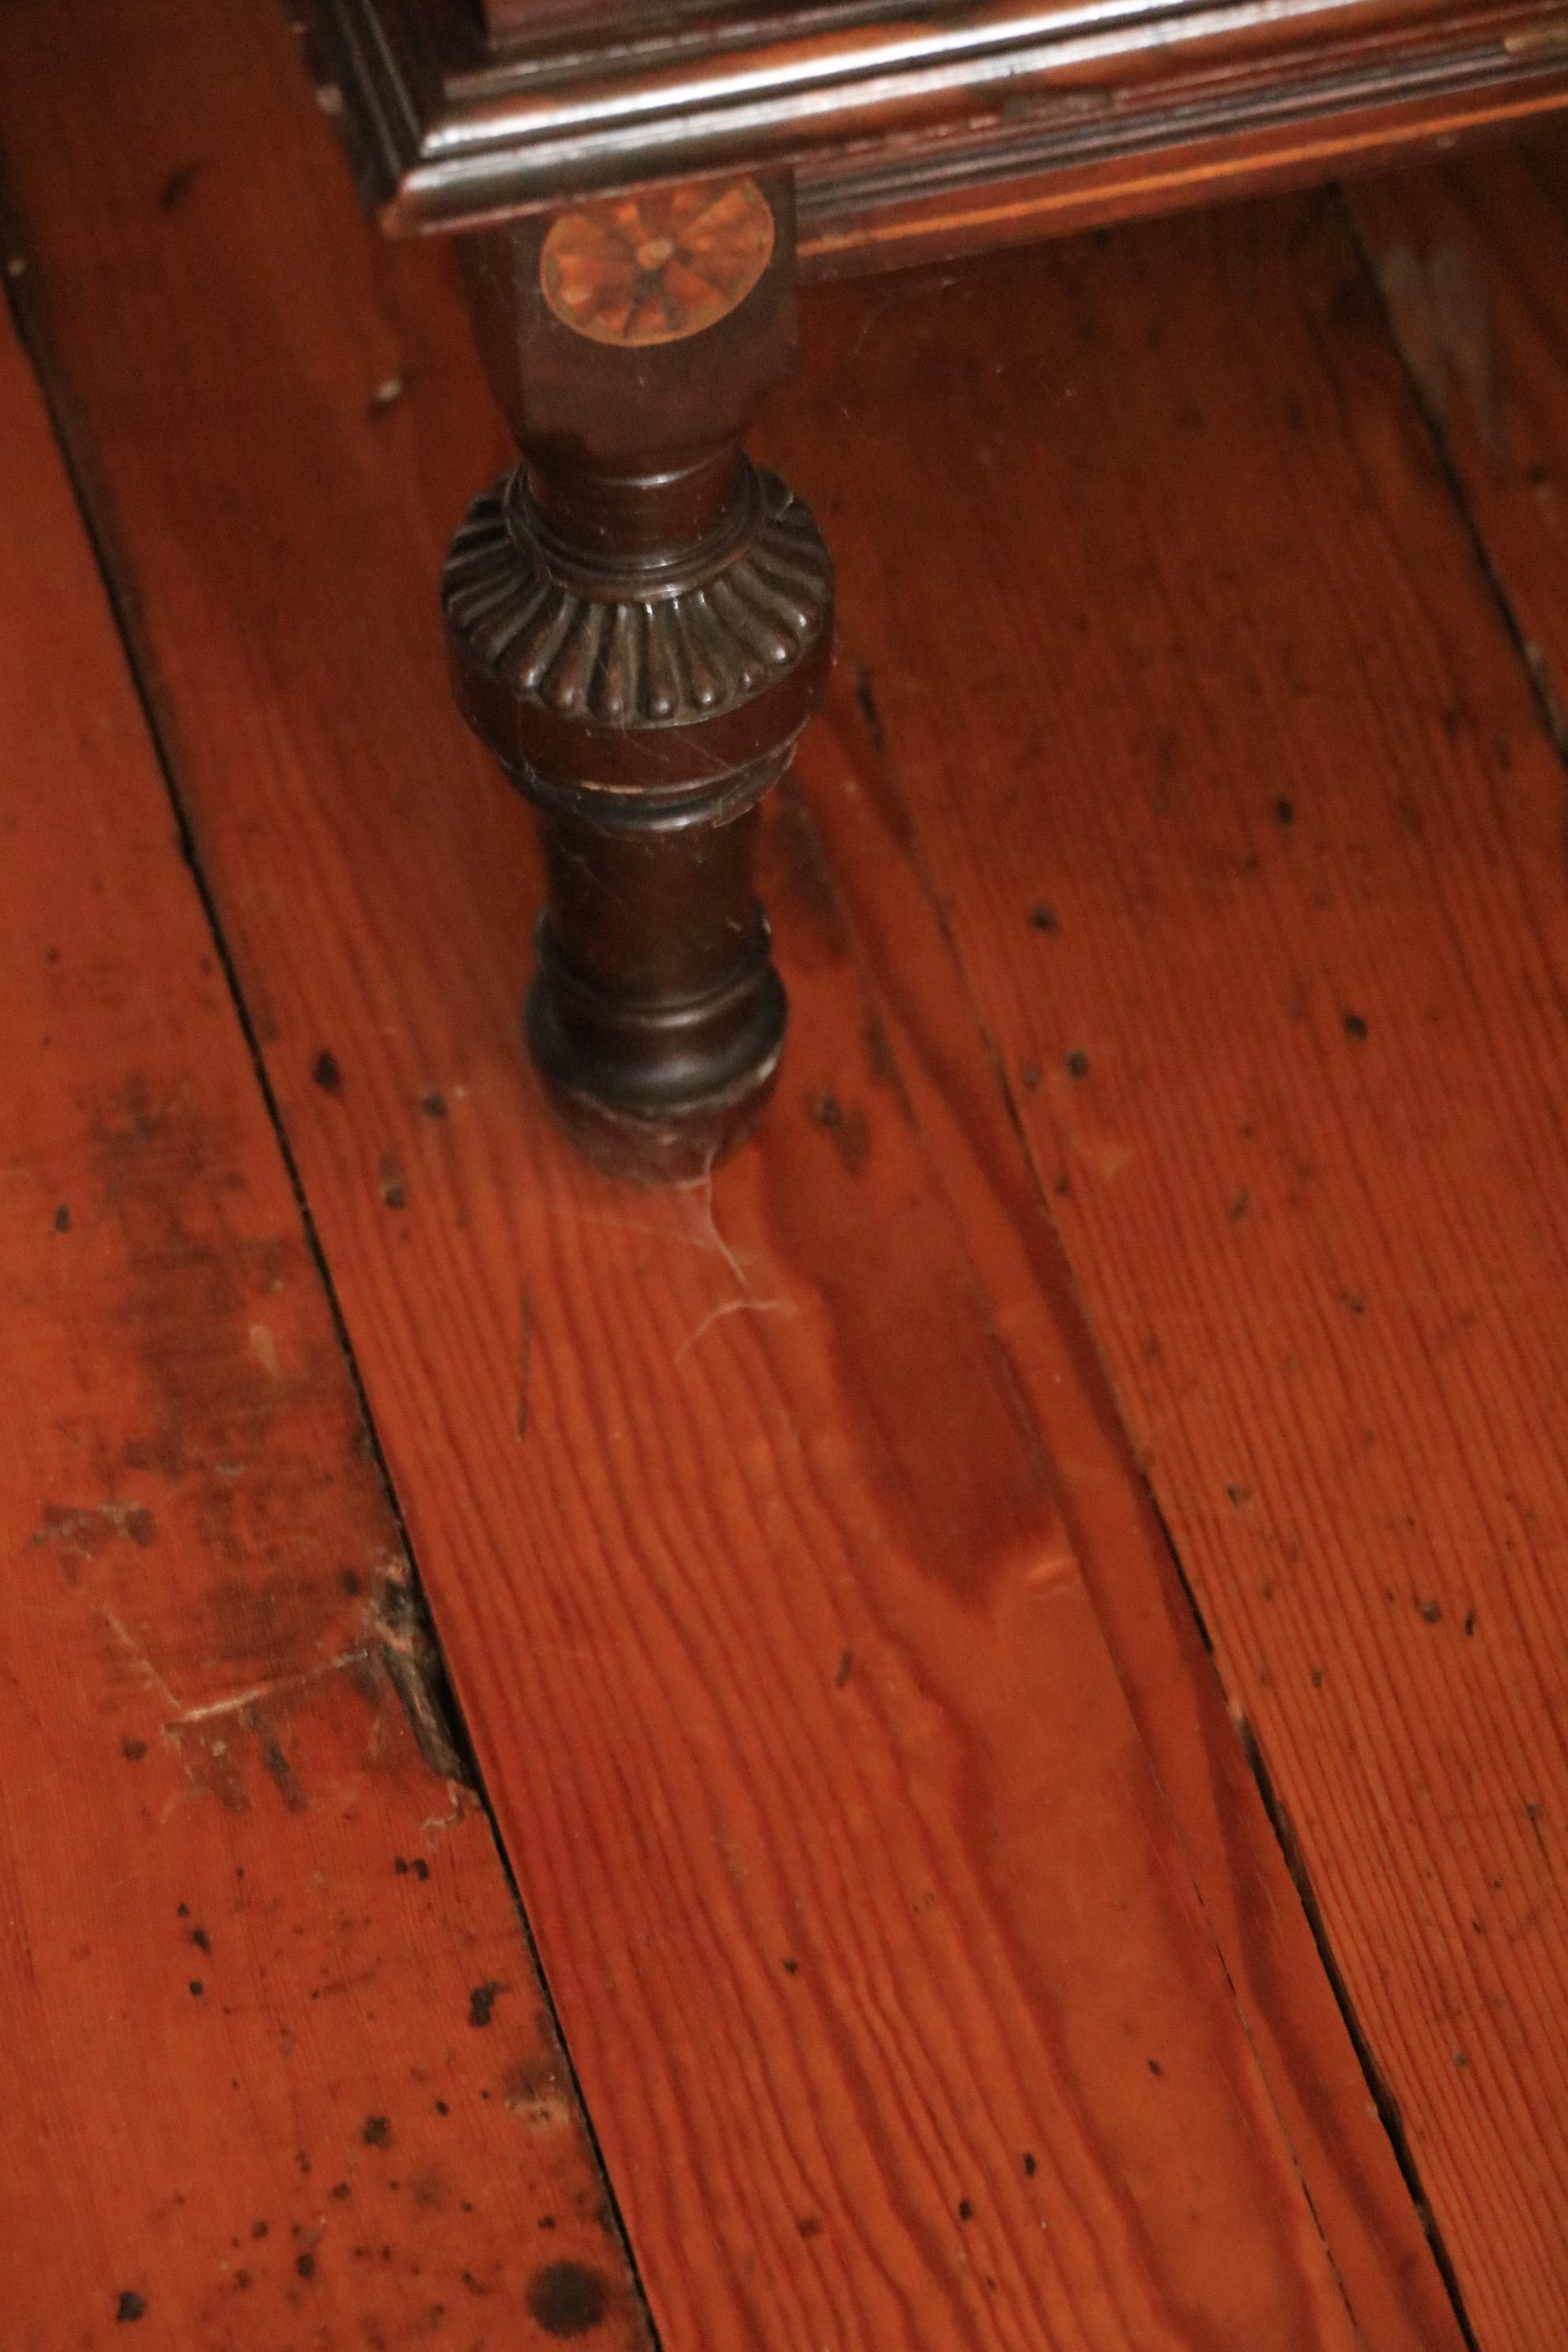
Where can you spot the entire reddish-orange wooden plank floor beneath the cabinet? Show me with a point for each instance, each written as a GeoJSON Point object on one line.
{"type": "Point", "coordinates": [958, 1737]}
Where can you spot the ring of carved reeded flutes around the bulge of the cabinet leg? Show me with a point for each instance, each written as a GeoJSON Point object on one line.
{"type": "Point", "coordinates": [657, 662]}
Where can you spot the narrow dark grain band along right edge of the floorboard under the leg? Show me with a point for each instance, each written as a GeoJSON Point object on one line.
{"type": "Point", "coordinates": [1165, 1666]}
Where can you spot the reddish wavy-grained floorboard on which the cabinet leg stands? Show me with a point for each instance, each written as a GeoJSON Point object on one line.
{"type": "Point", "coordinates": [897, 2000]}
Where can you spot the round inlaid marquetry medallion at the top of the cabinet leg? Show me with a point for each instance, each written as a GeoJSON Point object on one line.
{"type": "Point", "coordinates": [657, 267]}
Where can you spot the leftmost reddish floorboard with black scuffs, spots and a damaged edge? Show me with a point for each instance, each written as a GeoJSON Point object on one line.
{"type": "Point", "coordinates": [248, 1932]}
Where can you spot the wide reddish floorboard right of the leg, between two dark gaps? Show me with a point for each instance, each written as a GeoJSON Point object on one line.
{"type": "Point", "coordinates": [1235, 803]}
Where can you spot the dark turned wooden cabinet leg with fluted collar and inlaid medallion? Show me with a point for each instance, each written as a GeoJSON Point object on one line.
{"type": "Point", "coordinates": [641, 627]}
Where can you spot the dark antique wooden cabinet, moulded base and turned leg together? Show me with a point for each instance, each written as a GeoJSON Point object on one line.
{"type": "Point", "coordinates": [638, 620]}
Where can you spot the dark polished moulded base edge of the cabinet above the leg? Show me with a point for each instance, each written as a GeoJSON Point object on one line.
{"type": "Point", "coordinates": [913, 135]}
